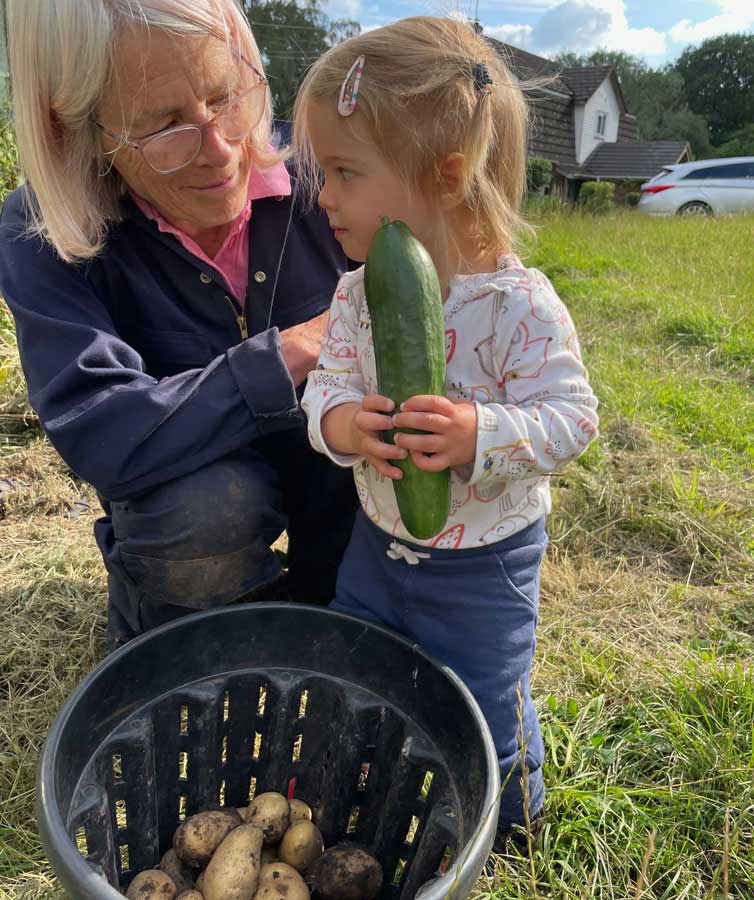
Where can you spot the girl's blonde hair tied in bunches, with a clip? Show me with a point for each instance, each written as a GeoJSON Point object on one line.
{"type": "Point", "coordinates": [420, 103]}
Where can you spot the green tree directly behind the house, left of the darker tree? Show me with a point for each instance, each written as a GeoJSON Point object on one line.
{"type": "Point", "coordinates": [655, 96]}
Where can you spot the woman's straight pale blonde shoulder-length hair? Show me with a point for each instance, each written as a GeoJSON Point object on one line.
{"type": "Point", "coordinates": [61, 61]}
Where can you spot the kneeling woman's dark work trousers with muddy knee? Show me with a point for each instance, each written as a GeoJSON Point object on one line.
{"type": "Point", "coordinates": [203, 540]}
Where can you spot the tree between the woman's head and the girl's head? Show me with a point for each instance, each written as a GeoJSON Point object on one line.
{"type": "Point", "coordinates": [291, 36]}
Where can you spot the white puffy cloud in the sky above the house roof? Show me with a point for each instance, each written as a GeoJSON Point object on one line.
{"type": "Point", "coordinates": [583, 25]}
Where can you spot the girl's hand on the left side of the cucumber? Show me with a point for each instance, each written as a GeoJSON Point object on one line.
{"type": "Point", "coordinates": [355, 428]}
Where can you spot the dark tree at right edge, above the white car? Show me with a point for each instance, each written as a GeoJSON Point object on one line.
{"type": "Point", "coordinates": [718, 78]}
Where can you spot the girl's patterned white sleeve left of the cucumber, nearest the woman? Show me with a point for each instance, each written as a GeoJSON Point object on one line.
{"type": "Point", "coordinates": [338, 377]}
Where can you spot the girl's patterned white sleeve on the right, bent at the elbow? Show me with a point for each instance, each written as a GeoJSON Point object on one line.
{"type": "Point", "coordinates": [550, 415]}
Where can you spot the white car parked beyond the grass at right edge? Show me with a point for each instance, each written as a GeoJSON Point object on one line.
{"type": "Point", "coordinates": [702, 188]}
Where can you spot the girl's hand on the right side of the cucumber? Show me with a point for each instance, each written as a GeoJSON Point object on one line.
{"type": "Point", "coordinates": [452, 428]}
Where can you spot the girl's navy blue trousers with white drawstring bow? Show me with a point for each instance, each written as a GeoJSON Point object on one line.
{"type": "Point", "coordinates": [475, 611]}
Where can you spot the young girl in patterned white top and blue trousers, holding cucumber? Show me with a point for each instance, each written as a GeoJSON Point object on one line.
{"type": "Point", "coordinates": [421, 121]}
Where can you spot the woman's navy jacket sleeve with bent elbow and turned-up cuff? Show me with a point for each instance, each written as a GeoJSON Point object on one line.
{"type": "Point", "coordinates": [117, 427]}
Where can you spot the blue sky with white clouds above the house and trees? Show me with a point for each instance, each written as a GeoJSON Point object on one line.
{"type": "Point", "coordinates": [656, 30]}
